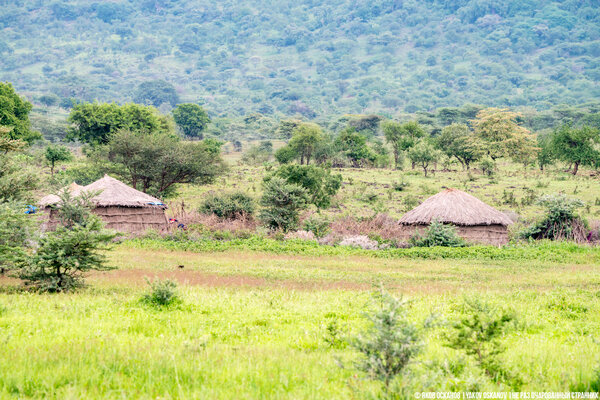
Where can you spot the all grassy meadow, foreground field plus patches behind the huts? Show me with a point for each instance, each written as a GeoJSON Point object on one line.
{"type": "Point", "coordinates": [265, 318]}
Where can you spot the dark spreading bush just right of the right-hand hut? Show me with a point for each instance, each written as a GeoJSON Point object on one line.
{"type": "Point", "coordinates": [561, 222]}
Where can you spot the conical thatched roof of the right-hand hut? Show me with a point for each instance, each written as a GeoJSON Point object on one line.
{"type": "Point", "coordinates": [456, 207]}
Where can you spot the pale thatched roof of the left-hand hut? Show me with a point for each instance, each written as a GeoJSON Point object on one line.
{"type": "Point", "coordinates": [113, 192]}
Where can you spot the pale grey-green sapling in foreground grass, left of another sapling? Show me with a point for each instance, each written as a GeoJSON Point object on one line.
{"type": "Point", "coordinates": [391, 341]}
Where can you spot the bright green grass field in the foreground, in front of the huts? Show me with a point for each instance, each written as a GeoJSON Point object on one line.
{"type": "Point", "coordinates": [252, 324]}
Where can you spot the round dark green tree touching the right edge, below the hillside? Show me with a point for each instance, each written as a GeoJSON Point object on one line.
{"type": "Point", "coordinates": [576, 146]}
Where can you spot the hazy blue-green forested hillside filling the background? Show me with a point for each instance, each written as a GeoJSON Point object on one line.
{"type": "Point", "coordinates": [307, 57]}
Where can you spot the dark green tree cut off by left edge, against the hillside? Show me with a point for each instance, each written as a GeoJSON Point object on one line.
{"type": "Point", "coordinates": [14, 114]}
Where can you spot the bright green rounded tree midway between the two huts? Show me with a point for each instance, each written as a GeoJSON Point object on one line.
{"type": "Point", "coordinates": [319, 183]}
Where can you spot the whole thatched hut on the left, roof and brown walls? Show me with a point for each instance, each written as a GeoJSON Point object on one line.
{"type": "Point", "coordinates": [121, 207]}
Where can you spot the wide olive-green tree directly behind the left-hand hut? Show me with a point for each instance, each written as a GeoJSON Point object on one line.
{"type": "Point", "coordinates": [155, 163]}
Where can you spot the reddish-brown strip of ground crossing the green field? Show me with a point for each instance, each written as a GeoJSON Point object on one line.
{"type": "Point", "coordinates": [137, 277]}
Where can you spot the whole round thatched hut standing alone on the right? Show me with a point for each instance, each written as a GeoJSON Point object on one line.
{"type": "Point", "coordinates": [476, 222]}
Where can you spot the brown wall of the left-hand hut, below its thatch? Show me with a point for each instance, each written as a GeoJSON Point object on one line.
{"type": "Point", "coordinates": [122, 219]}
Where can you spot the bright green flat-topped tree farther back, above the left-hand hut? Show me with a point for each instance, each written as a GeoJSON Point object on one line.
{"type": "Point", "coordinates": [94, 122]}
